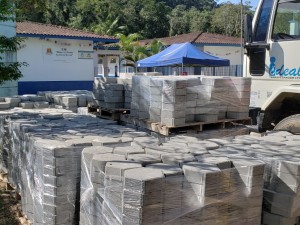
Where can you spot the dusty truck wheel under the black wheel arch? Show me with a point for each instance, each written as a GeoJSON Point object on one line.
{"type": "Point", "coordinates": [291, 124]}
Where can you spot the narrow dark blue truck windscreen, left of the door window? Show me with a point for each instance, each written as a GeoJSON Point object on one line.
{"type": "Point", "coordinates": [262, 25]}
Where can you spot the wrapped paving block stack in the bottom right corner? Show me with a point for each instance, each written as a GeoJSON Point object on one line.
{"type": "Point", "coordinates": [282, 196]}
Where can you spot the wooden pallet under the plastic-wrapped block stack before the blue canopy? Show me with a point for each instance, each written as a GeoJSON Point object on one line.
{"type": "Point", "coordinates": [196, 126]}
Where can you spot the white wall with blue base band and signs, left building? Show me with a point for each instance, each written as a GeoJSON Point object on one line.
{"type": "Point", "coordinates": [56, 64]}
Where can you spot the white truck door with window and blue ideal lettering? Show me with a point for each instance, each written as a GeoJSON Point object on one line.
{"type": "Point", "coordinates": [285, 42]}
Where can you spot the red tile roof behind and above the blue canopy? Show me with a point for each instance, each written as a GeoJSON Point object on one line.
{"type": "Point", "coordinates": [197, 38]}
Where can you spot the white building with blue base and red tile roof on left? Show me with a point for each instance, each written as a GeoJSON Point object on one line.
{"type": "Point", "coordinates": [58, 58]}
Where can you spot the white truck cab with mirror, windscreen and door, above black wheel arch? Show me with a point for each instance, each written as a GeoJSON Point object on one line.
{"type": "Point", "coordinates": [272, 60]}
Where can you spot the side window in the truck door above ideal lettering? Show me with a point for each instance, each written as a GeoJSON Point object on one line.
{"type": "Point", "coordinates": [287, 21]}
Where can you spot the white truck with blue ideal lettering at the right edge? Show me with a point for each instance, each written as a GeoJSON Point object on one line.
{"type": "Point", "coordinates": [272, 60]}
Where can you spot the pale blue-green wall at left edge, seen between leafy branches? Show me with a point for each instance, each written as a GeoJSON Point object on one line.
{"type": "Point", "coordinates": [9, 30]}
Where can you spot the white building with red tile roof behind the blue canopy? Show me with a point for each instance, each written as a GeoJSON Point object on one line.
{"type": "Point", "coordinates": [215, 44]}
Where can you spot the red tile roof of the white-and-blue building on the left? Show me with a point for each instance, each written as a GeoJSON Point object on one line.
{"type": "Point", "coordinates": [39, 29]}
